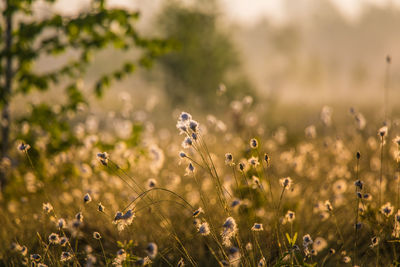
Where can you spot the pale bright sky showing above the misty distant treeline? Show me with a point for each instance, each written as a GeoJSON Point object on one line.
{"type": "Point", "coordinates": [244, 11]}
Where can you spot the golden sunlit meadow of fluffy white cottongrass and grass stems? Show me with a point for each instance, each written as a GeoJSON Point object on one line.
{"type": "Point", "coordinates": [213, 191]}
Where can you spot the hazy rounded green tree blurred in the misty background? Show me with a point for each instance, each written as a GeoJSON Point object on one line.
{"type": "Point", "coordinates": [205, 56]}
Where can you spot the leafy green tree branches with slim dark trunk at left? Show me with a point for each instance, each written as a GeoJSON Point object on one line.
{"type": "Point", "coordinates": [25, 38]}
